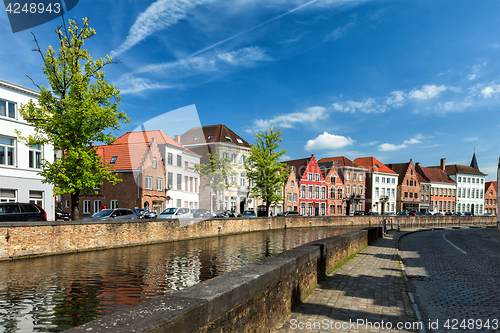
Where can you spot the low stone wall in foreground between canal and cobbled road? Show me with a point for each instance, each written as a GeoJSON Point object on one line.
{"type": "Point", "coordinates": [254, 298]}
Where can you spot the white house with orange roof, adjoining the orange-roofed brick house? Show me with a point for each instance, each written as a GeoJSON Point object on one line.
{"type": "Point", "coordinates": [182, 182]}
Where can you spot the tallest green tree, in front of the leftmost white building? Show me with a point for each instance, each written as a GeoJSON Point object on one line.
{"type": "Point", "coordinates": [79, 108]}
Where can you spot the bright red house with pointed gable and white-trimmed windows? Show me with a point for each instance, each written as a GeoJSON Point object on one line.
{"type": "Point", "coordinates": [312, 186]}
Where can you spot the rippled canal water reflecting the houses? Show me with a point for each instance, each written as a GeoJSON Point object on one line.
{"type": "Point", "coordinates": [54, 293]}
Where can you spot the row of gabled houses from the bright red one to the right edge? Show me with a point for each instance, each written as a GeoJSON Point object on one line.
{"type": "Point", "coordinates": [339, 186]}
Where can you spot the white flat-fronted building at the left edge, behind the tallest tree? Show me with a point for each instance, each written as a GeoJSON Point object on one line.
{"type": "Point", "coordinates": [20, 164]}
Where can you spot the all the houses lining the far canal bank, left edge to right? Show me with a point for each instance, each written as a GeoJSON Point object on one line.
{"type": "Point", "coordinates": [157, 172]}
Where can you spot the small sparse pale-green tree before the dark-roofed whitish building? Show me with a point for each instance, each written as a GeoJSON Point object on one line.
{"type": "Point", "coordinates": [215, 175]}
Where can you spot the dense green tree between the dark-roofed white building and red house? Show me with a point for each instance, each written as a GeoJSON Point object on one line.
{"type": "Point", "coordinates": [264, 169]}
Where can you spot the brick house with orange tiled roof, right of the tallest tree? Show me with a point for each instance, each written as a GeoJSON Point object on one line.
{"type": "Point", "coordinates": [141, 169]}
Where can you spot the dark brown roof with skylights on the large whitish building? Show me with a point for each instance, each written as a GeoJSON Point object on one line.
{"type": "Point", "coordinates": [212, 134]}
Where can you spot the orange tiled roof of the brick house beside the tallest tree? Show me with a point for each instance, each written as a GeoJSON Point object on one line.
{"type": "Point", "coordinates": [129, 156]}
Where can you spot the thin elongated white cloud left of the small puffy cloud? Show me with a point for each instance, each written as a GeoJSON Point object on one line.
{"type": "Point", "coordinates": [288, 120]}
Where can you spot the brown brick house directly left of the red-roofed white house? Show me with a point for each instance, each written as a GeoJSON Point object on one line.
{"type": "Point", "coordinates": [353, 179]}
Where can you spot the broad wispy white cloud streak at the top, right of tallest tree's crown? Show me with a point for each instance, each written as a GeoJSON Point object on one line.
{"type": "Point", "coordinates": [158, 16]}
